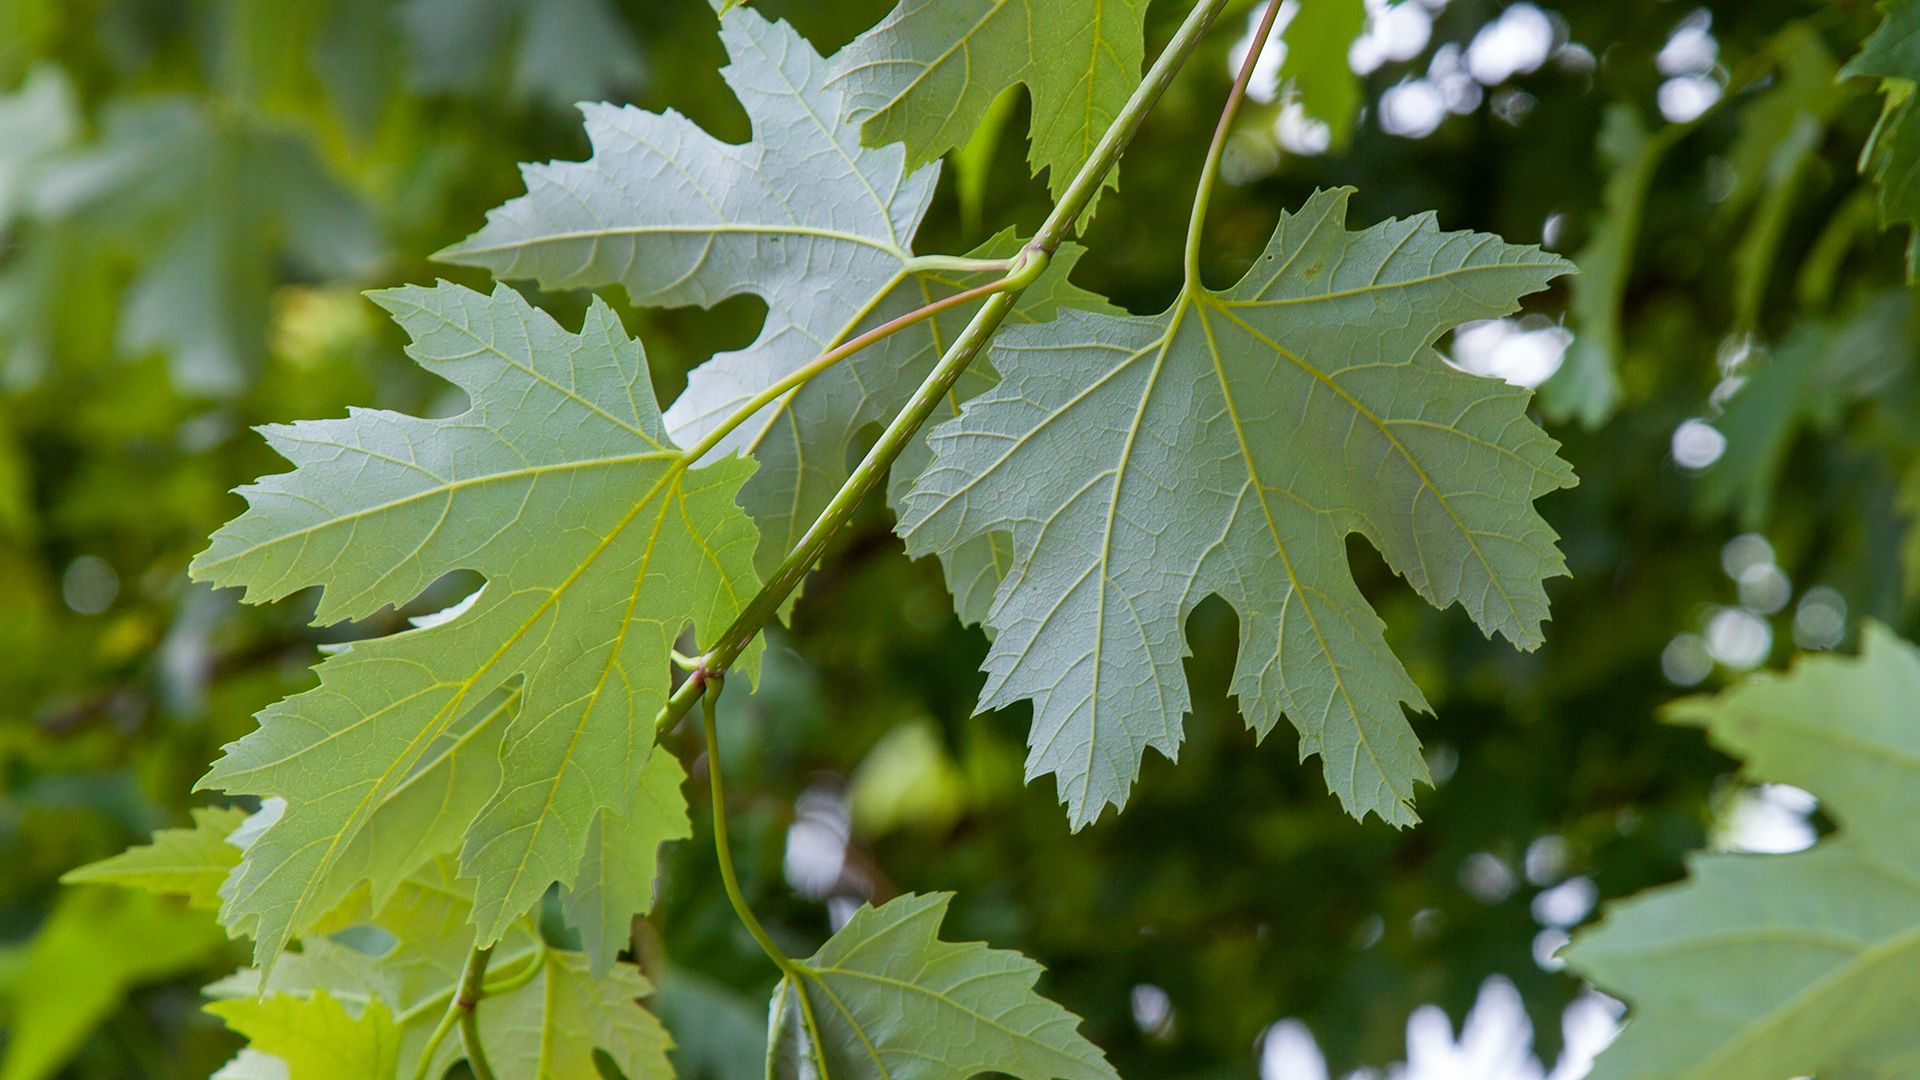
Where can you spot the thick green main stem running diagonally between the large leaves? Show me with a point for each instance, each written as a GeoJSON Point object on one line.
{"type": "Point", "coordinates": [986, 322]}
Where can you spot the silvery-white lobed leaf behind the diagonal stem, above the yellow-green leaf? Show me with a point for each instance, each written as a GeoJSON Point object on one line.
{"type": "Point", "coordinates": [763, 220]}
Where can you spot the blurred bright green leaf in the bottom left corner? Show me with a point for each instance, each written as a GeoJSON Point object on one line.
{"type": "Point", "coordinates": [95, 948]}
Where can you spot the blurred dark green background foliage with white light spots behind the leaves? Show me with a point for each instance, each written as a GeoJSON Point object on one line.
{"type": "Point", "coordinates": [193, 195]}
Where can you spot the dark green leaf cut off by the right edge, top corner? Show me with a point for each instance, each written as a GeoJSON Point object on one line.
{"type": "Point", "coordinates": [1892, 55]}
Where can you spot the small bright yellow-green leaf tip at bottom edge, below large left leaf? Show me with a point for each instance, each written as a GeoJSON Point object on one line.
{"type": "Point", "coordinates": [316, 1039]}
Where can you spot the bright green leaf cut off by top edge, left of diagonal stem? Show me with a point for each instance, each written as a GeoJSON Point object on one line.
{"type": "Point", "coordinates": [930, 70]}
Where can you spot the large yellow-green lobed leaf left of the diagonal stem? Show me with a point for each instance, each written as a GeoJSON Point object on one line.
{"type": "Point", "coordinates": [564, 491]}
